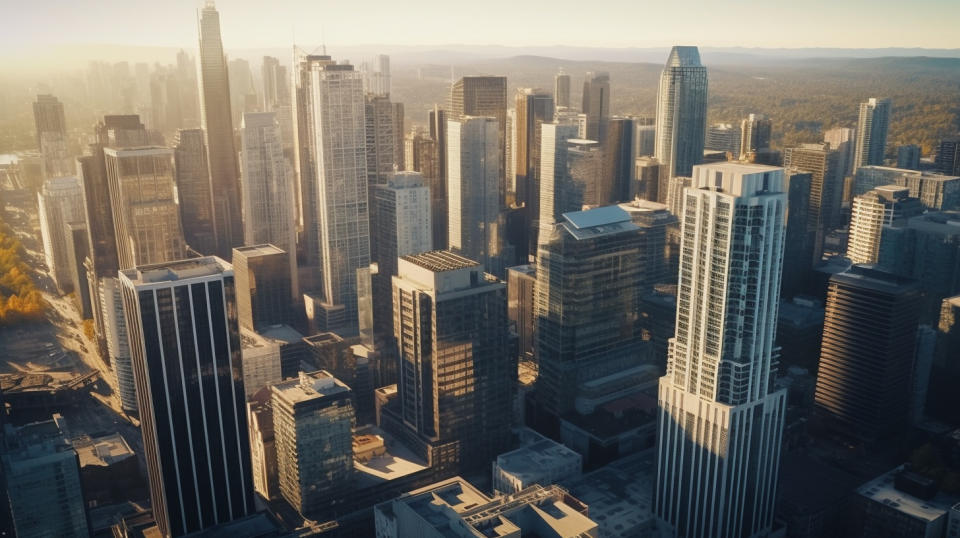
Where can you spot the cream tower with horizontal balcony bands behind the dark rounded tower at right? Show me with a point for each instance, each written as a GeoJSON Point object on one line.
{"type": "Point", "coordinates": [872, 212]}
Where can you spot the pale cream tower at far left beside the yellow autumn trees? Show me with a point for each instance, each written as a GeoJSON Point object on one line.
{"type": "Point", "coordinates": [60, 203]}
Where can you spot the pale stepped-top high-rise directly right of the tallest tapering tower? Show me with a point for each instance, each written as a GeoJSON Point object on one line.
{"type": "Point", "coordinates": [268, 190]}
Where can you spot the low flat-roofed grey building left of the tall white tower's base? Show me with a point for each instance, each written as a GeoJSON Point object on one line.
{"type": "Point", "coordinates": [542, 462]}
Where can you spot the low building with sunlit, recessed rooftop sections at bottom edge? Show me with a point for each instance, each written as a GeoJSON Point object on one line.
{"type": "Point", "coordinates": [454, 508]}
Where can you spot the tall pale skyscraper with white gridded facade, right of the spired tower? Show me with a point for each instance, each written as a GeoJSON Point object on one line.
{"type": "Point", "coordinates": [333, 179]}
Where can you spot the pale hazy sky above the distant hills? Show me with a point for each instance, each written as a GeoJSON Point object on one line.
{"type": "Point", "coordinates": [28, 24]}
